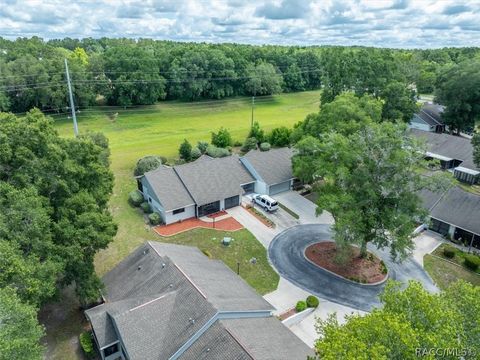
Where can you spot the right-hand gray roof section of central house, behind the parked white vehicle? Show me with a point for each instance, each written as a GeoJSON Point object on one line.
{"type": "Point", "coordinates": [273, 166]}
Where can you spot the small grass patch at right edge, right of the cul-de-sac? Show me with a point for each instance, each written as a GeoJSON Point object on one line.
{"type": "Point", "coordinates": [444, 273]}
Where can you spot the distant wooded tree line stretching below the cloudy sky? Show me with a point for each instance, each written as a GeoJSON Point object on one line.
{"type": "Point", "coordinates": [127, 72]}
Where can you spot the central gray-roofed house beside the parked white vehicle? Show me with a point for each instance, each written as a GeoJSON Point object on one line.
{"type": "Point", "coordinates": [208, 185]}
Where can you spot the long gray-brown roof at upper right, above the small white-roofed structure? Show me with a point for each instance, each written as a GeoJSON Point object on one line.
{"type": "Point", "coordinates": [451, 146]}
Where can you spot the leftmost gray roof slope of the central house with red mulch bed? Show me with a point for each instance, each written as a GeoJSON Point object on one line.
{"type": "Point", "coordinates": [168, 187]}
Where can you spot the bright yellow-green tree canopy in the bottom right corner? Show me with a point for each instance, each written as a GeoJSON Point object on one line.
{"type": "Point", "coordinates": [410, 324]}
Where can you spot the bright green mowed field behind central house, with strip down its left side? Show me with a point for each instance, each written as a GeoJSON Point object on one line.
{"type": "Point", "coordinates": [159, 130]}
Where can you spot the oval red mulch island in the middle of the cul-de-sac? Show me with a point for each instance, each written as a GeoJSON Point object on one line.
{"type": "Point", "coordinates": [368, 270]}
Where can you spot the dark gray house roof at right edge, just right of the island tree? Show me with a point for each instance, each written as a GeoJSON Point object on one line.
{"type": "Point", "coordinates": [455, 206]}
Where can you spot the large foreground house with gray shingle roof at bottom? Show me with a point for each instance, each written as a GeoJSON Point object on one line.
{"type": "Point", "coordinates": [167, 301]}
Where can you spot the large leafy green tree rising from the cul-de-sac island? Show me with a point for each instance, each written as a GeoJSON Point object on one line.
{"type": "Point", "coordinates": [371, 184]}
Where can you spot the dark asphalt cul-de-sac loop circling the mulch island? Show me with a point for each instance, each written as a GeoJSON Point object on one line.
{"type": "Point", "coordinates": [286, 252]}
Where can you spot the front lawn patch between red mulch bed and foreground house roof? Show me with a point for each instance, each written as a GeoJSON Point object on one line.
{"type": "Point", "coordinates": [244, 247]}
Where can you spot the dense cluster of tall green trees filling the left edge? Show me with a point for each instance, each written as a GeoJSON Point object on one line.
{"type": "Point", "coordinates": [53, 219]}
